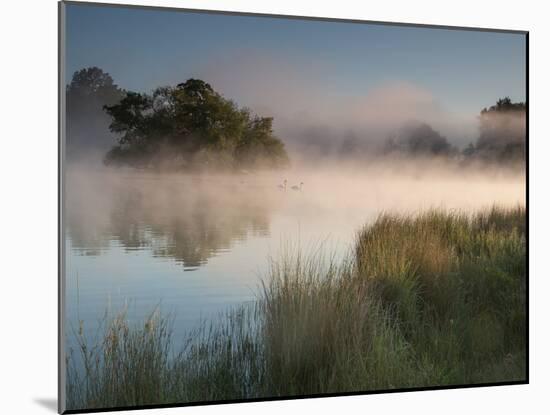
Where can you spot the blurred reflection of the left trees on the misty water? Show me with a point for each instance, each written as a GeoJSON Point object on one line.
{"type": "Point", "coordinates": [186, 219]}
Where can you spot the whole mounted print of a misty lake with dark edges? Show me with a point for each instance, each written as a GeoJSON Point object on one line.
{"type": "Point", "coordinates": [258, 207]}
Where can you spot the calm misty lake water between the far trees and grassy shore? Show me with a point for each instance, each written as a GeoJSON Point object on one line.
{"type": "Point", "coordinates": [196, 245]}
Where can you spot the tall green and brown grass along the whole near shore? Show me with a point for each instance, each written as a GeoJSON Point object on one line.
{"type": "Point", "coordinates": [431, 299]}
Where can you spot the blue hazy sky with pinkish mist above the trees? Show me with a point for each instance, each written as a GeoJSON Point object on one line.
{"type": "Point", "coordinates": [296, 68]}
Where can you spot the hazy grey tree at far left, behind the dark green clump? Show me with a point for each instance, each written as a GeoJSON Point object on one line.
{"type": "Point", "coordinates": [87, 124]}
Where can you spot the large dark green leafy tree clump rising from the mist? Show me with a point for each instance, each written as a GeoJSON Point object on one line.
{"type": "Point", "coordinates": [191, 126]}
